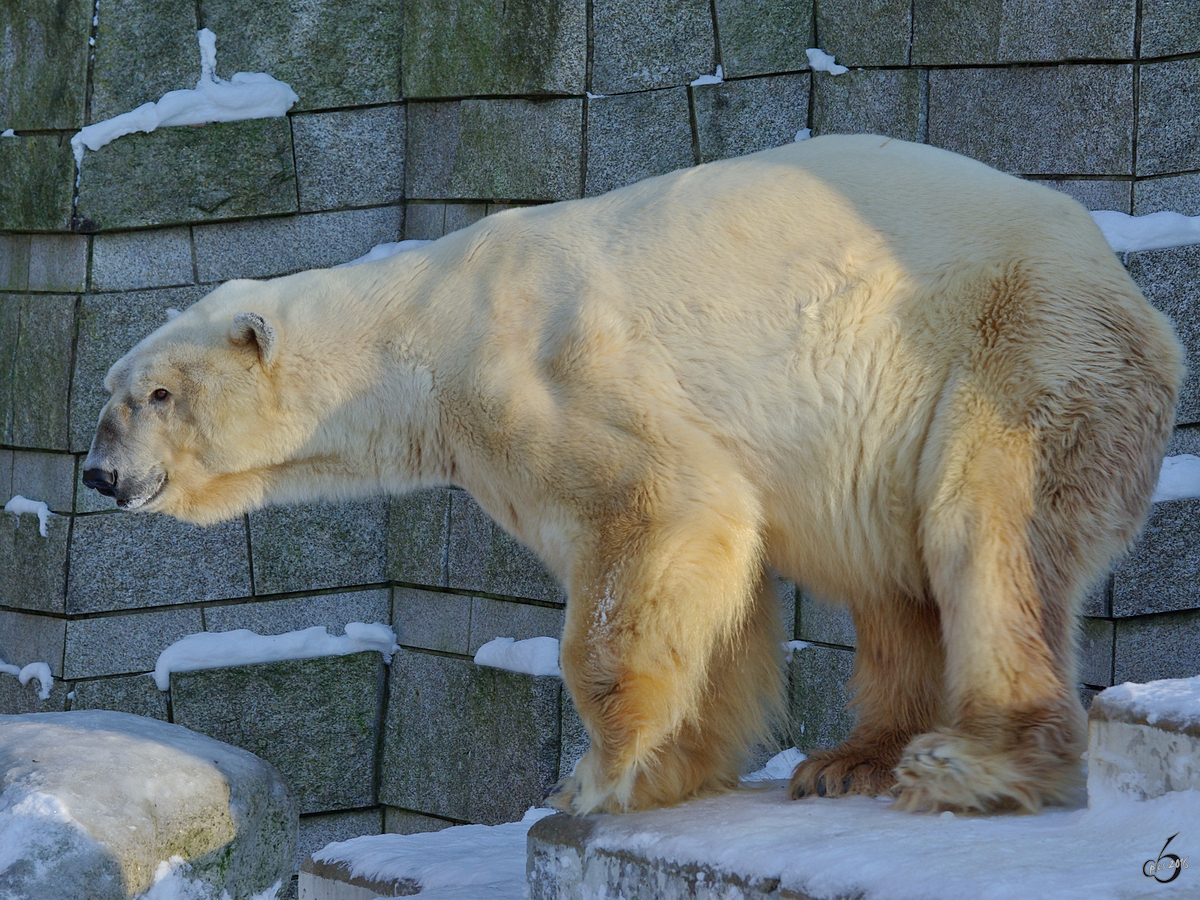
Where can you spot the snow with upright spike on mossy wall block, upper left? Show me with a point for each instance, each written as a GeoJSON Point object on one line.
{"type": "Point", "coordinates": [248, 95]}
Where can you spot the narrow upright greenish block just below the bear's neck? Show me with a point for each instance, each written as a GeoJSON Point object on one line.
{"type": "Point", "coordinates": [418, 536]}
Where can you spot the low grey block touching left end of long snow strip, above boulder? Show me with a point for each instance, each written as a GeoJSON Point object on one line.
{"type": "Point", "coordinates": [123, 645]}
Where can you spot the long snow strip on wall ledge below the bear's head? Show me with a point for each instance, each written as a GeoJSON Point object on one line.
{"type": "Point", "coordinates": [217, 650]}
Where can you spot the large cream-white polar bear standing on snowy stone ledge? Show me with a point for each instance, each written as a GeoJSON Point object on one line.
{"type": "Point", "coordinates": [911, 383]}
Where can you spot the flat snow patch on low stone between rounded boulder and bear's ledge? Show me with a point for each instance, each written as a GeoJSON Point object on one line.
{"type": "Point", "coordinates": [459, 863]}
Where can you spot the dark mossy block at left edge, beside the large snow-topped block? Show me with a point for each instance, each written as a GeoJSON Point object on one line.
{"type": "Point", "coordinates": [38, 172]}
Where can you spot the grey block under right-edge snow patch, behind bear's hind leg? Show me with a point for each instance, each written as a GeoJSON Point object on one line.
{"type": "Point", "coordinates": [1160, 574]}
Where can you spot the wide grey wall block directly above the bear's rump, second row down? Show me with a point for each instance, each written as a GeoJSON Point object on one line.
{"type": "Point", "coordinates": [1049, 121]}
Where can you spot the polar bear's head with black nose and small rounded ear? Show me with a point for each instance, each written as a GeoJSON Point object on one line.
{"type": "Point", "coordinates": [182, 431]}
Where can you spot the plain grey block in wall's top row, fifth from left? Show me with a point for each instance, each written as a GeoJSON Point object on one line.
{"type": "Point", "coordinates": [650, 44]}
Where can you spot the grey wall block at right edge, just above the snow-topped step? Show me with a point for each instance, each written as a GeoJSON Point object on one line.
{"type": "Point", "coordinates": [1153, 647]}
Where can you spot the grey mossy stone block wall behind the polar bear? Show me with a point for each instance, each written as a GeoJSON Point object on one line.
{"type": "Point", "coordinates": [416, 121]}
